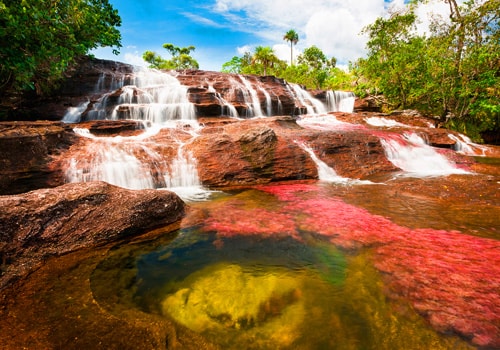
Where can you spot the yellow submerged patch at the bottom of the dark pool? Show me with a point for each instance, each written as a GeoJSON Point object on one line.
{"type": "Point", "coordinates": [226, 298]}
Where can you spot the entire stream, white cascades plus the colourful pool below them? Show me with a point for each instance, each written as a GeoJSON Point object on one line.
{"type": "Point", "coordinates": [330, 264]}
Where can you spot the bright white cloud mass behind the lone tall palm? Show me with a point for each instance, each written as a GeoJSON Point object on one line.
{"type": "Point", "coordinates": [332, 25]}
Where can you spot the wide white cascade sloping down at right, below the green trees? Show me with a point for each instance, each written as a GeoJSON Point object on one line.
{"type": "Point", "coordinates": [413, 155]}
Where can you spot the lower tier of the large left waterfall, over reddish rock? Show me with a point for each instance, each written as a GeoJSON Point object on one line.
{"type": "Point", "coordinates": [132, 162]}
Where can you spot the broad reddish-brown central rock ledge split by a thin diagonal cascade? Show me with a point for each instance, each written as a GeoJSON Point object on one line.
{"type": "Point", "coordinates": [236, 153]}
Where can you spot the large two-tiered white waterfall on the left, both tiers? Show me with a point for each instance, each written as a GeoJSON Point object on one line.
{"type": "Point", "coordinates": [160, 101]}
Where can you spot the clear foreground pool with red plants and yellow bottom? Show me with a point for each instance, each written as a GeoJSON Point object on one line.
{"type": "Point", "coordinates": [305, 266]}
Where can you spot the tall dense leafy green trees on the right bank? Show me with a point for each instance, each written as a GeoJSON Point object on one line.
{"type": "Point", "coordinates": [452, 73]}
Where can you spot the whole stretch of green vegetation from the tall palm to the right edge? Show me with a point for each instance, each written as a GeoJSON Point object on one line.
{"type": "Point", "coordinates": [451, 72]}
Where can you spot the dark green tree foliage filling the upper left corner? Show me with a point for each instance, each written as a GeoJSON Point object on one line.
{"type": "Point", "coordinates": [41, 38]}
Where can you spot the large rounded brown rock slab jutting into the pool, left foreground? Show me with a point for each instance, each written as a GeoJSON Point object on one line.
{"type": "Point", "coordinates": [50, 222]}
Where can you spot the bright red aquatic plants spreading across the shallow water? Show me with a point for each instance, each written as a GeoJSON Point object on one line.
{"type": "Point", "coordinates": [451, 278]}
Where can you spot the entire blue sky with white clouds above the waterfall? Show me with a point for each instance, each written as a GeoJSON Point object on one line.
{"type": "Point", "coordinates": [221, 29]}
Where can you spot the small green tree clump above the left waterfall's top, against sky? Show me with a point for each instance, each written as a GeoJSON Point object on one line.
{"type": "Point", "coordinates": [181, 58]}
